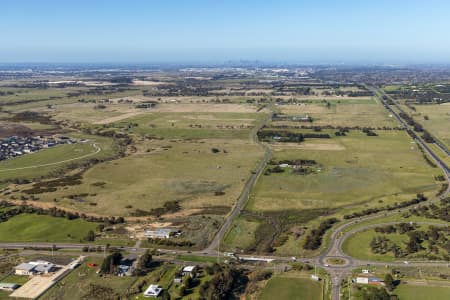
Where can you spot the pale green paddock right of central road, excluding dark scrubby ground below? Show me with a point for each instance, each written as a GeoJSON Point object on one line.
{"type": "Point", "coordinates": [355, 169]}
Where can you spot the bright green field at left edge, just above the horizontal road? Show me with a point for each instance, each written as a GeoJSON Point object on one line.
{"type": "Point", "coordinates": [42, 228]}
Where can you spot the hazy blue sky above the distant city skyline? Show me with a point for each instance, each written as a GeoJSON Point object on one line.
{"type": "Point", "coordinates": [206, 31]}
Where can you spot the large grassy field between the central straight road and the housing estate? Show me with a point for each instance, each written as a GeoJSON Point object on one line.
{"type": "Point", "coordinates": [162, 171]}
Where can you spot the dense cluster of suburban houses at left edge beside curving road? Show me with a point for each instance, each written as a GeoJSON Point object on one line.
{"type": "Point", "coordinates": [15, 146]}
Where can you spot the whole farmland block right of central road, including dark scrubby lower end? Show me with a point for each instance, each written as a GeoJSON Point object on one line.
{"type": "Point", "coordinates": [345, 173]}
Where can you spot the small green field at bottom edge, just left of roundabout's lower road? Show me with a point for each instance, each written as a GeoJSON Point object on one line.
{"type": "Point", "coordinates": [285, 288]}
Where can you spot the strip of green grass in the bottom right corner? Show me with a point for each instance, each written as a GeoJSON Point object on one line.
{"type": "Point", "coordinates": [411, 292]}
